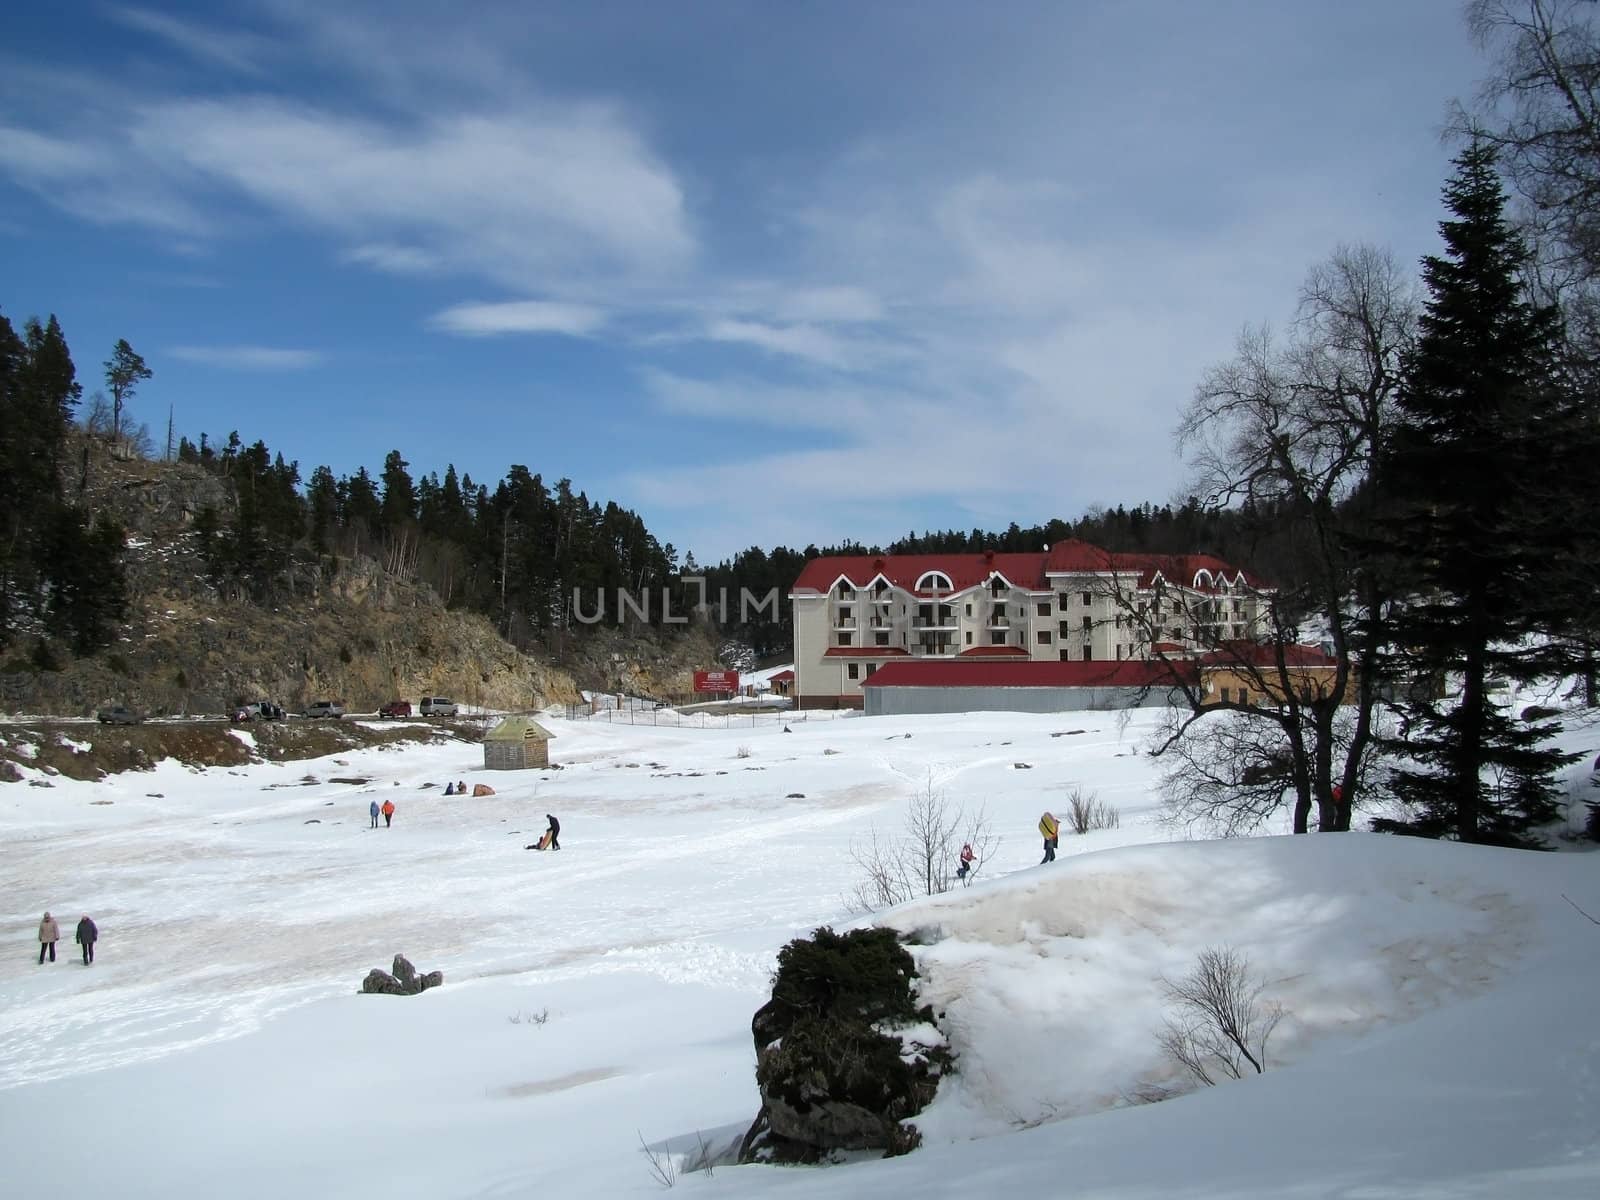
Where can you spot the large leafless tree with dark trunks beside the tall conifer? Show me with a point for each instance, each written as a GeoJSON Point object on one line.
{"type": "Point", "coordinates": [1287, 431]}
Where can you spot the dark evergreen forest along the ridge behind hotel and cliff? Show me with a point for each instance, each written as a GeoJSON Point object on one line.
{"type": "Point", "coordinates": [542, 561]}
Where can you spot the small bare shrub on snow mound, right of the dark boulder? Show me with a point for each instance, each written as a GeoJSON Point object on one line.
{"type": "Point", "coordinates": [1222, 1025]}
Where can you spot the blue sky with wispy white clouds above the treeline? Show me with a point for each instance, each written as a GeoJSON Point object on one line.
{"type": "Point", "coordinates": [762, 273]}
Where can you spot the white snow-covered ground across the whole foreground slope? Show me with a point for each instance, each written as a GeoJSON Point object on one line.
{"type": "Point", "coordinates": [1441, 999]}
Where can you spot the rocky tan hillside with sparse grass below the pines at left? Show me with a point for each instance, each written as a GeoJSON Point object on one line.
{"type": "Point", "coordinates": [356, 634]}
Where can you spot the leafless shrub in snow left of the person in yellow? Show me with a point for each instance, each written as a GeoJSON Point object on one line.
{"type": "Point", "coordinates": [922, 860]}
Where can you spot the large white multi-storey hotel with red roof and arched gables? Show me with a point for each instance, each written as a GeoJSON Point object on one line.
{"type": "Point", "coordinates": [1068, 610]}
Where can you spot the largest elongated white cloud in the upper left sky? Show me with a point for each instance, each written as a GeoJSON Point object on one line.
{"type": "Point", "coordinates": [508, 196]}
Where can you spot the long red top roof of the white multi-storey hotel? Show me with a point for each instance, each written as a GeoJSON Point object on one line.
{"type": "Point", "coordinates": [1022, 570]}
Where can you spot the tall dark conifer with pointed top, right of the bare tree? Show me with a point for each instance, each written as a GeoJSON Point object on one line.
{"type": "Point", "coordinates": [1473, 521]}
